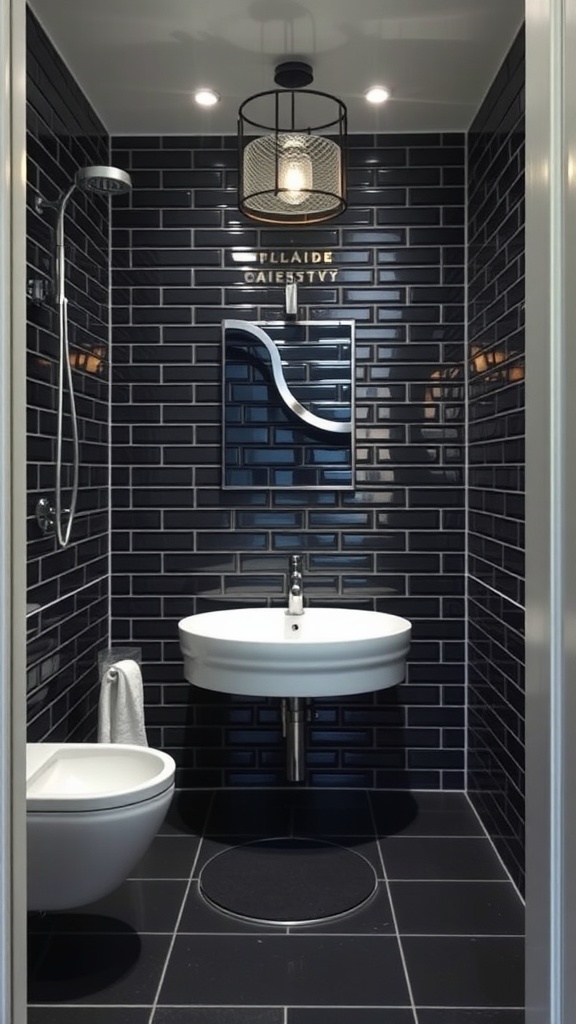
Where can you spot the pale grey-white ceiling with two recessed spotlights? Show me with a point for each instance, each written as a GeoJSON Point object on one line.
{"type": "Point", "coordinates": [139, 61]}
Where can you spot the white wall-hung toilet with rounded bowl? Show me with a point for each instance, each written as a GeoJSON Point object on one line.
{"type": "Point", "coordinates": [93, 809]}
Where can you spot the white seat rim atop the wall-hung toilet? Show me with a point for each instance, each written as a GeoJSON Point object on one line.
{"type": "Point", "coordinates": [72, 778]}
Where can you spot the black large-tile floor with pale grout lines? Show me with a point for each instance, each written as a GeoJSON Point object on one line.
{"type": "Point", "coordinates": [441, 943]}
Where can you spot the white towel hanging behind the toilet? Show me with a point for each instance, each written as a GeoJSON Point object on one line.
{"type": "Point", "coordinates": [121, 706]}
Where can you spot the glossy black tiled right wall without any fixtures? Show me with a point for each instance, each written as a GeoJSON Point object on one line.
{"type": "Point", "coordinates": [497, 461]}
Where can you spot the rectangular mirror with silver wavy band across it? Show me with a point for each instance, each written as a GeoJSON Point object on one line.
{"type": "Point", "coordinates": [289, 405]}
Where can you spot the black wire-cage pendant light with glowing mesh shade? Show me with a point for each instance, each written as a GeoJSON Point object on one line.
{"type": "Point", "coordinates": [293, 152]}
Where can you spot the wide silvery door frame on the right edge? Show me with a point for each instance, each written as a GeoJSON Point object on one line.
{"type": "Point", "coordinates": [551, 511]}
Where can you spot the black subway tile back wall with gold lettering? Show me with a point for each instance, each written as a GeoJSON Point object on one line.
{"type": "Point", "coordinates": [184, 261]}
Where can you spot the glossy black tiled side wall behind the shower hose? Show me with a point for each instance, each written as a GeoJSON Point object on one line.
{"type": "Point", "coordinates": [68, 590]}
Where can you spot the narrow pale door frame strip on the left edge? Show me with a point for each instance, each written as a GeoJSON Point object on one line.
{"type": "Point", "coordinates": [13, 513]}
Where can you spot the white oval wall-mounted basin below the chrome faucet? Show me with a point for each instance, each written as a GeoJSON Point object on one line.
{"type": "Point", "coordinates": [268, 653]}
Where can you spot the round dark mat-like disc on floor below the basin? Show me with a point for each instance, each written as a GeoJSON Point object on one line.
{"type": "Point", "coordinates": [287, 881]}
